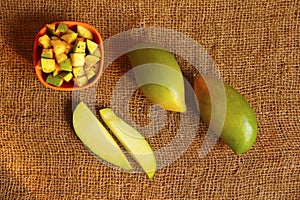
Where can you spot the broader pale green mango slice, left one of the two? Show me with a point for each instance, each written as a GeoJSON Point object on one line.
{"type": "Point", "coordinates": [94, 135]}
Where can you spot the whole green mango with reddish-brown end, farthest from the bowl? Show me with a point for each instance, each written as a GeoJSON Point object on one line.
{"type": "Point", "coordinates": [240, 125]}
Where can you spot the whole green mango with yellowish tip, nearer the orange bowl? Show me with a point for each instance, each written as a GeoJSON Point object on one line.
{"type": "Point", "coordinates": [159, 76]}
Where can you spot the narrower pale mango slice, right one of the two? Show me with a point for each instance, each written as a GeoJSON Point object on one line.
{"type": "Point", "coordinates": [132, 140]}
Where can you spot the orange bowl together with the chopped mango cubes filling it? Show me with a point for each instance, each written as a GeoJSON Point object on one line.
{"type": "Point", "coordinates": [62, 55]}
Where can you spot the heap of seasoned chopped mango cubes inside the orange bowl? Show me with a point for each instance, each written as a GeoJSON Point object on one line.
{"type": "Point", "coordinates": [68, 53]}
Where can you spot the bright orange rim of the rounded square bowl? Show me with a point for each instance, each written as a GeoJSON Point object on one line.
{"type": "Point", "coordinates": [39, 72]}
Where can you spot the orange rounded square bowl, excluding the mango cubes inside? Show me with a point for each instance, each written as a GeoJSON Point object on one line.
{"type": "Point", "coordinates": [37, 50]}
